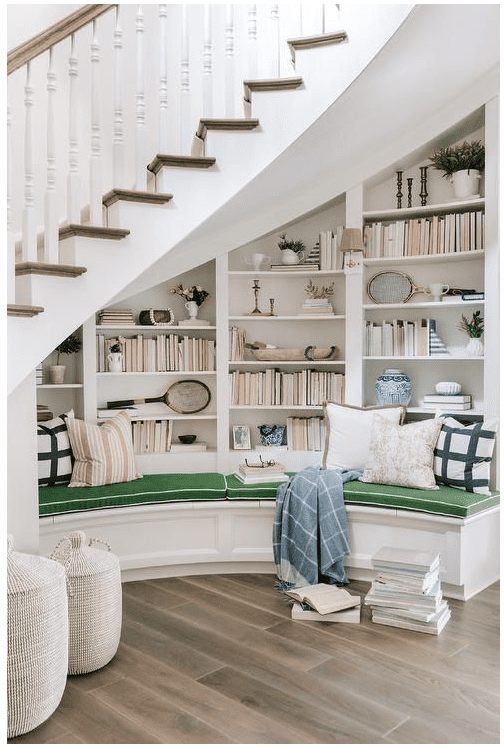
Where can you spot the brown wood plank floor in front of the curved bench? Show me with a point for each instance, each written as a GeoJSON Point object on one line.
{"type": "Point", "coordinates": [216, 659]}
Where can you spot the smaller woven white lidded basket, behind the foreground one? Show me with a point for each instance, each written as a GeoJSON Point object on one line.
{"type": "Point", "coordinates": [94, 601]}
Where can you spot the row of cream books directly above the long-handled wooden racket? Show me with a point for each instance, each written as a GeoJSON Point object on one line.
{"type": "Point", "coordinates": [160, 353]}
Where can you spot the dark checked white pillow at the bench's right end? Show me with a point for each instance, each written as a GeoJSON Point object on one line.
{"type": "Point", "coordinates": [463, 455]}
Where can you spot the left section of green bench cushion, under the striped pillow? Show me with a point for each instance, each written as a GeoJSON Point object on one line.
{"type": "Point", "coordinates": [151, 489]}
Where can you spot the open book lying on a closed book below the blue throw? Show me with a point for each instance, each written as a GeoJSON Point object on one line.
{"type": "Point", "coordinates": [324, 602]}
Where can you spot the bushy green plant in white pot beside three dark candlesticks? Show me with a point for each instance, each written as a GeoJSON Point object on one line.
{"type": "Point", "coordinates": [462, 164]}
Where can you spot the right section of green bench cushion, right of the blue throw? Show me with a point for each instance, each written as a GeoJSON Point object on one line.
{"type": "Point", "coordinates": [448, 501]}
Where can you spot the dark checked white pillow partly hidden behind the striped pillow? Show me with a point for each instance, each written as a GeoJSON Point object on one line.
{"type": "Point", "coordinates": [55, 458]}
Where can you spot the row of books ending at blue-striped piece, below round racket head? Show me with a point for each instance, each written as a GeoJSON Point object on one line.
{"type": "Point", "coordinates": [402, 338]}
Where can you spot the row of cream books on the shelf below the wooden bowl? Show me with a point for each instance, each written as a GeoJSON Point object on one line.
{"type": "Point", "coordinates": [274, 387]}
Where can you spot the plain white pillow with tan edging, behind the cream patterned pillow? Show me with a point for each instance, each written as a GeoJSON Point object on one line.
{"type": "Point", "coordinates": [348, 433]}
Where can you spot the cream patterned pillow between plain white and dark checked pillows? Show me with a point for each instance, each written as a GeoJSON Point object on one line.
{"type": "Point", "coordinates": [403, 455]}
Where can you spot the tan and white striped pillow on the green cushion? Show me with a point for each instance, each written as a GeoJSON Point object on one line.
{"type": "Point", "coordinates": [103, 454]}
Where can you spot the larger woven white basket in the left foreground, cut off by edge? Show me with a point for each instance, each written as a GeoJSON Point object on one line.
{"type": "Point", "coordinates": [37, 639]}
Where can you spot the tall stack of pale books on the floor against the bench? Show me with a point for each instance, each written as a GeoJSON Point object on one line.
{"type": "Point", "coordinates": [406, 591]}
